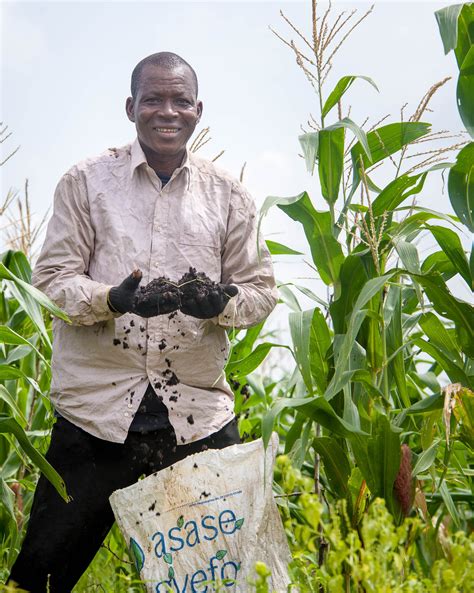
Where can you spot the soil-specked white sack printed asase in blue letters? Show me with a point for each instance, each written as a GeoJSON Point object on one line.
{"type": "Point", "coordinates": [208, 518]}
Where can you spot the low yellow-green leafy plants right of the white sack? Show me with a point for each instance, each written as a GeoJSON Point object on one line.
{"type": "Point", "coordinates": [335, 554]}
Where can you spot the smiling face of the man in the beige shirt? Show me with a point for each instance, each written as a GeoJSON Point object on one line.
{"type": "Point", "coordinates": [165, 111]}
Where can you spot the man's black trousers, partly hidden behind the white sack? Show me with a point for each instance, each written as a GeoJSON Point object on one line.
{"type": "Point", "coordinates": [63, 538]}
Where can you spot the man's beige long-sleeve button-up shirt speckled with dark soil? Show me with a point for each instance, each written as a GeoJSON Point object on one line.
{"type": "Point", "coordinates": [111, 216]}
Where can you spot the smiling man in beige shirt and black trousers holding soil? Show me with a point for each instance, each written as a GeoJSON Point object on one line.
{"type": "Point", "coordinates": [137, 378]}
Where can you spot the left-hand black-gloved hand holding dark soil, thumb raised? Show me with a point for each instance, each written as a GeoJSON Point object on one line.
{"type": "Point", "coordinates": [157, 298]}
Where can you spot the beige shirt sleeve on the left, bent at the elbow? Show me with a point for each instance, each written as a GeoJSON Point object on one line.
{"type": "Point", "coordinates": [61, 271]}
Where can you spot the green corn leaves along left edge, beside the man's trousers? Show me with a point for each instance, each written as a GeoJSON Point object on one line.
{"type": "Point", "coordinates": [25, 414]}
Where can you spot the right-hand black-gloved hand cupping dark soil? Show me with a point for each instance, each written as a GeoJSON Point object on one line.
{"type": "Point", "coordinates": [207, 302]}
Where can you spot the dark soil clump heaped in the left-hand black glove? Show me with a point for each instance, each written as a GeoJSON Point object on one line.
{"type": "Point", "coordinates": [158, 297]}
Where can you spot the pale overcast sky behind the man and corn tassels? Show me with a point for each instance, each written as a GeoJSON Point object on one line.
{"type": "Point", "coordinates": [66, 69]}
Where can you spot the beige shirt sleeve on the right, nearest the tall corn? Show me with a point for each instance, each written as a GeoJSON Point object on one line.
{"type": "Point", "coordinates": [247, 264]}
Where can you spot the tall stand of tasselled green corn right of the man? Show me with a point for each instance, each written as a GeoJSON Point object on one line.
{"type": "Point", "coordinates": [380, 403]}
